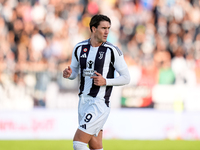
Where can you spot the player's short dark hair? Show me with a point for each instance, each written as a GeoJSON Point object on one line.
{"type": "Point", "coordinates": [96, 19]}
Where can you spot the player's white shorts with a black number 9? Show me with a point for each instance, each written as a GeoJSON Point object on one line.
{"type": "Point", "coordinates": [92, 114]}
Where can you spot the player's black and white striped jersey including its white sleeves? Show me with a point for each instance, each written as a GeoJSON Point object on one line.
{"type": "Point", "coordinates": [104, 59]}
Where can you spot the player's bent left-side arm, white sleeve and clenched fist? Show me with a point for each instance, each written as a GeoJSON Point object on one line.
{"type": "Point", "coordinates": [72, 71]}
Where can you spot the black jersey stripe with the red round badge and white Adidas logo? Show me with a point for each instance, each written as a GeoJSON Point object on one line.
{"type": "Point", "coordinates": [83, 65]}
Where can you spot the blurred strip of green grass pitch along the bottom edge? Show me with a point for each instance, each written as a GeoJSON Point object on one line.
{"type": "Point", "coordinates": [108, 145]}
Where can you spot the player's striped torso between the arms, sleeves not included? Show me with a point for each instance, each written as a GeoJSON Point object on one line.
{"type": "Point", "coordinates": [93, 59]}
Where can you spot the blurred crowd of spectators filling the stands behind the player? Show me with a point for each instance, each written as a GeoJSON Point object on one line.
{"type": "Point", "coordinates": [160, 40]}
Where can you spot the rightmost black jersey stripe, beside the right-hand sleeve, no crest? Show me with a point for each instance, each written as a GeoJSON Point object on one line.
{"type": "Point", "coordinates": [109, 75]}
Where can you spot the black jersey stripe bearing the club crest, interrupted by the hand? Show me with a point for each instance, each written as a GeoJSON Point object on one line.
{"type": "Point", "coordinates": [98, 66]}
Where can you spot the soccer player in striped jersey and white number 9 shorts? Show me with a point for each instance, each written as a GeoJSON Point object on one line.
{"type": "Point", "coordinates": [95, 60]}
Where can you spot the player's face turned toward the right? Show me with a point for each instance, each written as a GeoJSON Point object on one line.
{"type": "Point", "coordinates": [102, 31]}
